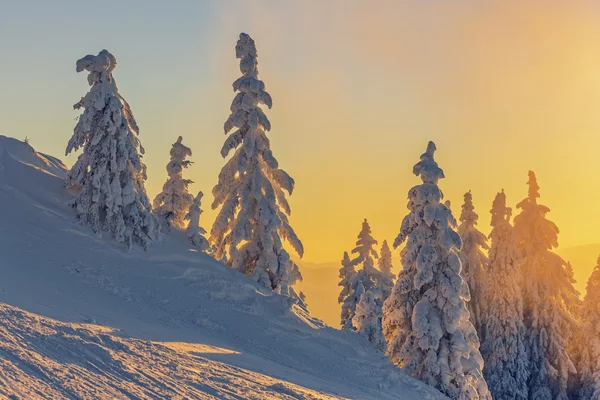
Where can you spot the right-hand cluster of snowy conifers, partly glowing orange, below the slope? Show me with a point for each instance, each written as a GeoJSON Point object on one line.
{"type": "Point", "coordinates": [477, 316]}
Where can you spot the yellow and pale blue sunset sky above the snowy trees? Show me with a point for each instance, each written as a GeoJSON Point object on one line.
{"type": "Point", "coordinates": [358, 89]}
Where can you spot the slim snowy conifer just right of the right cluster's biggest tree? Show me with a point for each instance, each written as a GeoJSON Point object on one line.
{"type": "Point", "coordinates": [473, 259]}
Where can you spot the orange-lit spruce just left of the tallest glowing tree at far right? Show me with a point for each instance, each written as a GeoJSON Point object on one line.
{"type": "Point", "coordinates": [503, 347]}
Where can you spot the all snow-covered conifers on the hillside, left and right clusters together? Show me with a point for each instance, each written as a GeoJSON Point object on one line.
{"type": "Point", "coordinates": [471, 318]}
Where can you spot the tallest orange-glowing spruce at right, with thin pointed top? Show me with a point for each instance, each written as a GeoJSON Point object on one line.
{"type": "Point", "coordinates": [548, 322]}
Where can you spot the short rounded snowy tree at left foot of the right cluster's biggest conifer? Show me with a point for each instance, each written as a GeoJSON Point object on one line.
{"type": "Point", "coordinates": [367, 318]}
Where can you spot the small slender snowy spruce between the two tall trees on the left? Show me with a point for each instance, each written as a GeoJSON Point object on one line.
{"type": "Point", "coordinates": [172, 204]}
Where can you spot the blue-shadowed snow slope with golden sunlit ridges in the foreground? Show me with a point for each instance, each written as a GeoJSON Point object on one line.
{"type": "Point", "coordinates": [80, 317]}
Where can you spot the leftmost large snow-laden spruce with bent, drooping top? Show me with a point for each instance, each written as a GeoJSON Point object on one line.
{"type": "Point", "coordinates": [109, 172]}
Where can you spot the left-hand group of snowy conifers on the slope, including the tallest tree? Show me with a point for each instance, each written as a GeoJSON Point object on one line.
{"type": "Point", "coordinates": [109, 177]}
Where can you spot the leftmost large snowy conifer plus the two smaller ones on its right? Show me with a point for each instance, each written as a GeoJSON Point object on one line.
{"type": "Point", "coordinates": [109, 174]}
